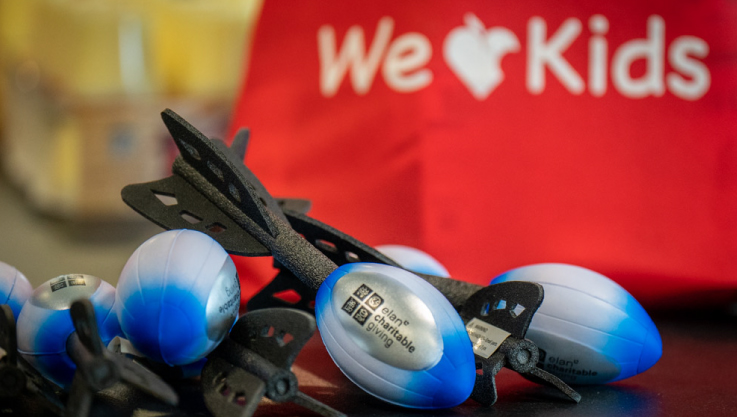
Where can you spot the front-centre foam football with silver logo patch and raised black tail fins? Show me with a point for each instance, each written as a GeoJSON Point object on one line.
{"type": "Point", "coordinates": [214, 192]}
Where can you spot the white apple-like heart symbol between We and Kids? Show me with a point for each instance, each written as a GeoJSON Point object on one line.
{"type": "Point", "coordinates": [474, 54]}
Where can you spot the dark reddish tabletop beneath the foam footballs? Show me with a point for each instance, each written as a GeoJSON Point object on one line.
{"type": "Point", "coordinates": [697, 375]}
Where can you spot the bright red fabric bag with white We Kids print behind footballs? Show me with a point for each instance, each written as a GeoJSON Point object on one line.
{"type": "Point", "coordinates": [642, 189]}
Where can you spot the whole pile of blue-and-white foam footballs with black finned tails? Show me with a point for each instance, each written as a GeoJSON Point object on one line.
{"type": "Point", "coordinates": [391, 319]}
